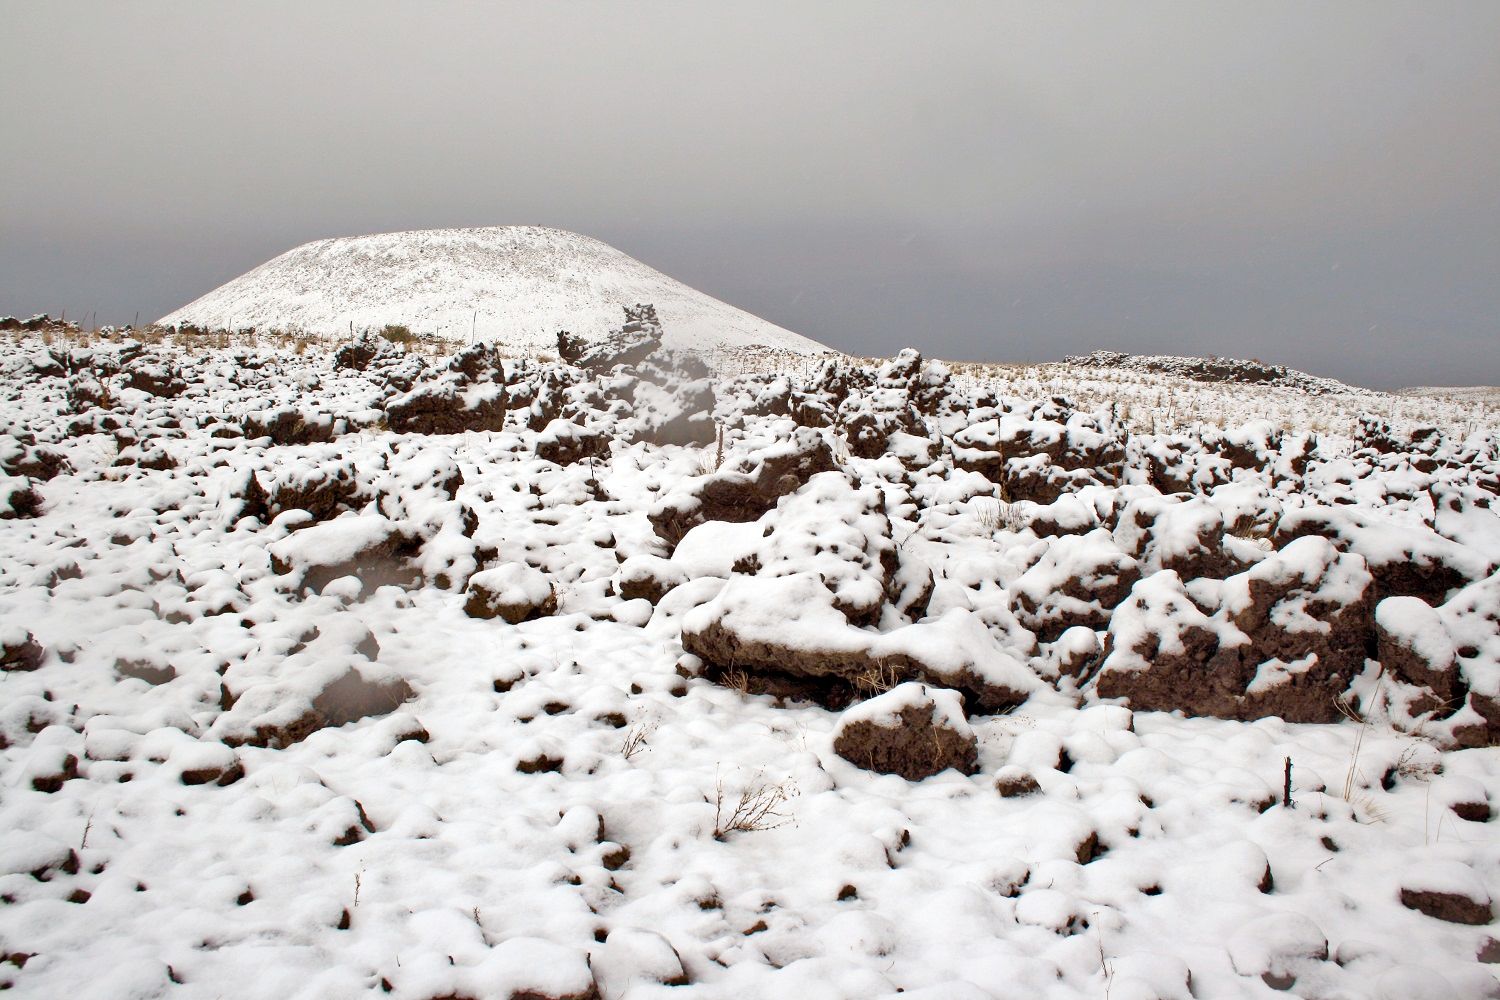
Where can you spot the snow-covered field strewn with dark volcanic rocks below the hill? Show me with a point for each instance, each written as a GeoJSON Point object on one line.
{"type": "Point", "coordinates": [269, 729]}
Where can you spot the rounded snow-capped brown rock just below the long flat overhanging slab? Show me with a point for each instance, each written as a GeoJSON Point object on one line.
{"type": "Point", "coordinates": [913, 731]}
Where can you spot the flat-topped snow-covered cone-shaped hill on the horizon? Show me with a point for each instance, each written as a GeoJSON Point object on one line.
{"type": "Point", "coordinates": [514, 286]}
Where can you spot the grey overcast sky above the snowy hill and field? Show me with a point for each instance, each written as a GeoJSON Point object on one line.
{"type": "Point", "coordinates": [1309, 184]}
